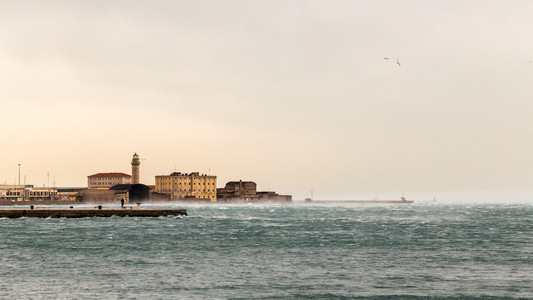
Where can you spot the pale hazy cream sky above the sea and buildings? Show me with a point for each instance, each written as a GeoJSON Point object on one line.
{"type": "Point", "coordinates": [297, 96]}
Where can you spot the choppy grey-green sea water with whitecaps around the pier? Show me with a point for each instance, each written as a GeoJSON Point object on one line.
{"type": "Point", "coordinates": [275, 251]}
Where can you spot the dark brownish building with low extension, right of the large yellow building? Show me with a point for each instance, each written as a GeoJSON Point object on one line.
{"type": "Point", "coordinates": [246, 191]}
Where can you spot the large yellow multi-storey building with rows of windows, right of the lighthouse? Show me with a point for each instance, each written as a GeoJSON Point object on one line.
{"type": "Point", "coordinates": [187, 186]}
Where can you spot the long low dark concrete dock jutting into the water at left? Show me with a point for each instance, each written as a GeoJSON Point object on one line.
{"type": "Point", "coordinates": [88, 212]}
